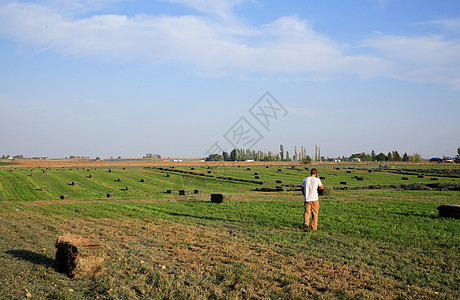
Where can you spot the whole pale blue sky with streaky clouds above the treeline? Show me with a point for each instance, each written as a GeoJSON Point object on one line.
{"type": "Point", "coordinates": [187, 78]}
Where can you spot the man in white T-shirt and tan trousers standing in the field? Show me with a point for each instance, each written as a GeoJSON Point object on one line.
{"type": "Point", "coordinates": [311, 202]}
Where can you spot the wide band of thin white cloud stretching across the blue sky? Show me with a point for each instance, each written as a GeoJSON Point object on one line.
{"type": "Point", "coordinates": [222, 44]}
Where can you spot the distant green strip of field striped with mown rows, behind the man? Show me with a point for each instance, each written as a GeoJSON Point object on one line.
{"type": "Point", "coordinates": [146, 183]}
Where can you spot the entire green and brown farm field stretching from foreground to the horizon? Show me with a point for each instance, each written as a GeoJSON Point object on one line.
{"type": "Point", "coordinates": [379, 234]}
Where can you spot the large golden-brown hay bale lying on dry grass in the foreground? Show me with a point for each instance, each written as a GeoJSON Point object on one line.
{"type": "Point", "coordinates": [77, 256]}
